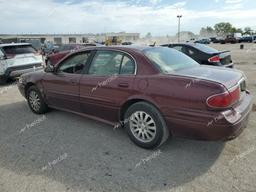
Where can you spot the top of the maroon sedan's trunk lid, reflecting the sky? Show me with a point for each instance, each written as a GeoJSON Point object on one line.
{"type": "Point", "coordinates": [227, 77]}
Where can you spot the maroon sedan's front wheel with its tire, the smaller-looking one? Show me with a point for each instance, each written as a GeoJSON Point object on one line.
{"type": "Point", "coordinates": [35, 101]}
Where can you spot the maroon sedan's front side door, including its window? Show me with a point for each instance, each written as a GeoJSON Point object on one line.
{"type": "Point", "coordinates": [62, 86]}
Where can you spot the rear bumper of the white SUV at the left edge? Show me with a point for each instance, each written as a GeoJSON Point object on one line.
{"type": "Point", "coordinates": [19, 70]}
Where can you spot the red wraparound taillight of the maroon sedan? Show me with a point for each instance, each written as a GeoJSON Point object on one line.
{"type": "Point", "coordinates": [224, 100]}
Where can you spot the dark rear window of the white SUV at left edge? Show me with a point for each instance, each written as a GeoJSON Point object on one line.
{"type": "Point", "coordinates": [20, 49]}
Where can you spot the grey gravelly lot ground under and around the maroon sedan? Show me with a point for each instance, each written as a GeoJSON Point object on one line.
{"type": "Point", "coordinates": [63, 152]}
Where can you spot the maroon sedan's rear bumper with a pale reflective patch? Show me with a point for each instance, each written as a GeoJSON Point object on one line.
{"type": "Point", "coordinates": [225, 125]}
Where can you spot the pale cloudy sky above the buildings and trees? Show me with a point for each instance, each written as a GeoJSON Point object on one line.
{"type": "Point", "coordinates": [97, 16]}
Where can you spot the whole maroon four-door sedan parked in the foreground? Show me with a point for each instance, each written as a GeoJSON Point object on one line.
{"type": "Point", "coordinates": [153, 92]}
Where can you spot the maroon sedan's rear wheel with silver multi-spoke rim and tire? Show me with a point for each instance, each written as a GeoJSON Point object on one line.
{"type": "Point", "coordinates": [138, 127]}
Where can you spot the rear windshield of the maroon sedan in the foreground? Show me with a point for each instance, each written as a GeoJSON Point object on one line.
{"type": "Point", "coordinates": [169, 60]}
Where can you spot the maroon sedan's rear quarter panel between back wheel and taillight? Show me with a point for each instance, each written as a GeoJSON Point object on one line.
{"type": "Point", "coordinates": [179, 99]}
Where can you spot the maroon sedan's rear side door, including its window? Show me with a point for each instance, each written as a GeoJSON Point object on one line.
{"type": "Point", "coordinates": [108, 82]}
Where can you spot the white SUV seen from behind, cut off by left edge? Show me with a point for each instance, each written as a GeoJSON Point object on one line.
{"type": "Point", "coordinates": [17, 59]}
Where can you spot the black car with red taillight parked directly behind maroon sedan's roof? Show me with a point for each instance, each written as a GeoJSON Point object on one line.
{"type": "Point", "coordinates": [204, 54]}
